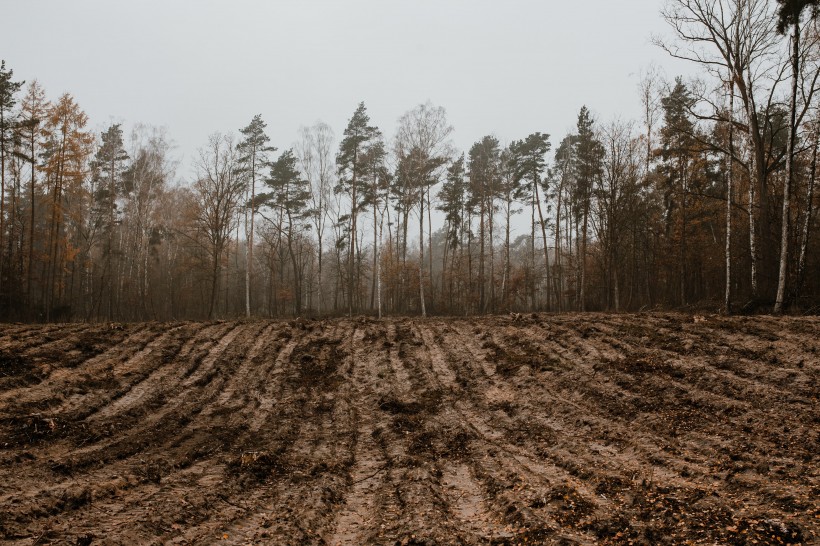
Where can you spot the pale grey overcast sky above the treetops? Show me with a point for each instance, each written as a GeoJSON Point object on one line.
{"type": "Point", "coordinates": [507, 68]}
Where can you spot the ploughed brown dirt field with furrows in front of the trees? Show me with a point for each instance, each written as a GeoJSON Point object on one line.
{"type": "Point", "coordinates": [540, 429]}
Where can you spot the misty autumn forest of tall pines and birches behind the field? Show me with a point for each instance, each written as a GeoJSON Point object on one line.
{"type": "Point", "coordinates": [708, 201]}
